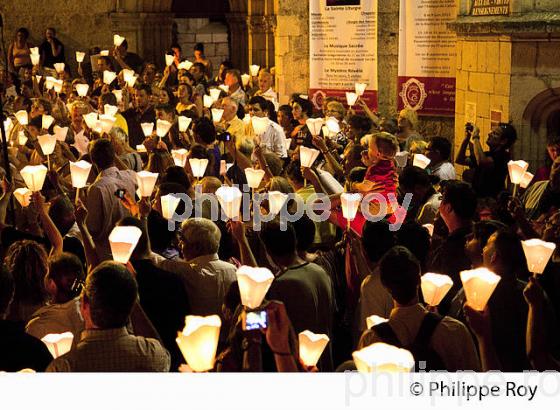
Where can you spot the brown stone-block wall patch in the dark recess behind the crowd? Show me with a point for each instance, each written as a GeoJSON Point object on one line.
{"type": "Point", "coordinates": [213, 35]}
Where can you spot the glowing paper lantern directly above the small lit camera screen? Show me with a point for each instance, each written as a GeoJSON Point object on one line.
{"type": "Point", "coordinates": [253, 285]}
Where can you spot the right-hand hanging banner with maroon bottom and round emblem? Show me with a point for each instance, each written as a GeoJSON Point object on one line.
{"type": "Point", "coordinates": [427, 56]}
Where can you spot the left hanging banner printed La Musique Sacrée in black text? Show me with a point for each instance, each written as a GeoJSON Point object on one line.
{"type": "Point", "coordinates": [342, 49]}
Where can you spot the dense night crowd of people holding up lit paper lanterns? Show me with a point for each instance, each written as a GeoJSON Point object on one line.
{"type": "Point", "coordinates": [331, 277]}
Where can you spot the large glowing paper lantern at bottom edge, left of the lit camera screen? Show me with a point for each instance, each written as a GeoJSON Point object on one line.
{"type": "Point", "coordinates": [199, 340]}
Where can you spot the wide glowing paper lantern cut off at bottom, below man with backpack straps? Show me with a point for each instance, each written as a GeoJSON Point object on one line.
{"type": "Point", "coordinates": [381, 357]}
